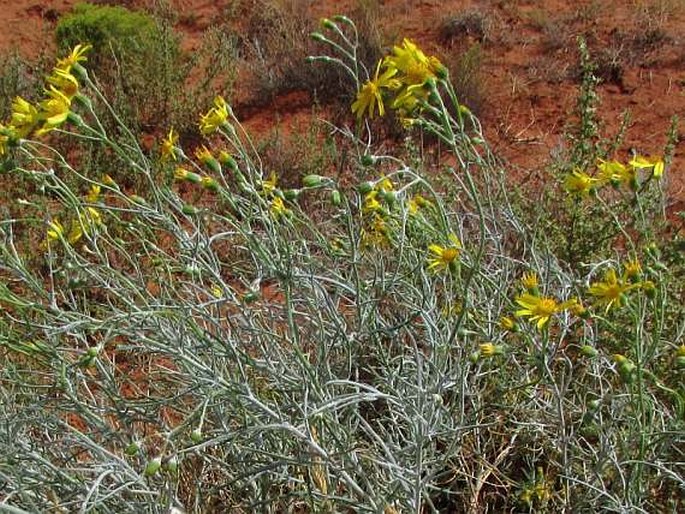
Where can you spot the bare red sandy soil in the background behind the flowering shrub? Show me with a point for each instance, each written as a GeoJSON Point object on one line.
{"type": "Point", "coordinates": [529, 67]}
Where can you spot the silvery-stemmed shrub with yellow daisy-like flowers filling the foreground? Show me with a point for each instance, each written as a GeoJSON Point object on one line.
{"type": "Point", "coordinates": [209, 342]}
